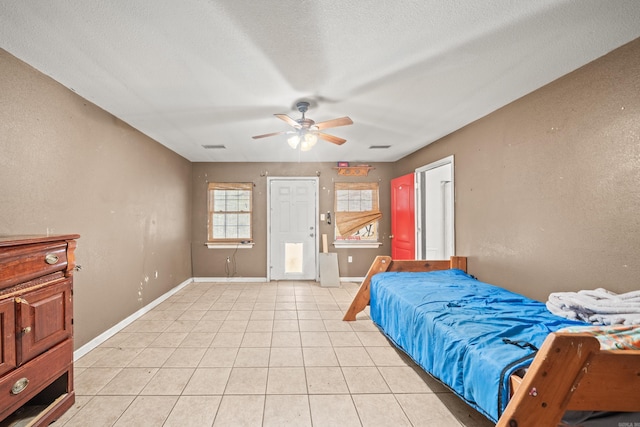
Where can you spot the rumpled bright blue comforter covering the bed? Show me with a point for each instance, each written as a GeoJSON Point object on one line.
{"type": "Point", "coordinates": [468, 334]}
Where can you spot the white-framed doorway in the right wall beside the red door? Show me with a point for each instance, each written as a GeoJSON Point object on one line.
{"type": "Point", "coordinates": [435, 205]}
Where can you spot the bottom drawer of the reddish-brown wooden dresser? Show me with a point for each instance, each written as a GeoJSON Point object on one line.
{"type": "Point", "coordinates": [23, 383]}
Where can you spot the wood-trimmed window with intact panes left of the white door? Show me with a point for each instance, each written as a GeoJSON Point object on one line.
{"type": "Point", "coordinates": [230, 209]}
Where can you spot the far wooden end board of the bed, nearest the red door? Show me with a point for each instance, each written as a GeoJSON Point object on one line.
{"type": "Point", "coordinates": [385, 263]}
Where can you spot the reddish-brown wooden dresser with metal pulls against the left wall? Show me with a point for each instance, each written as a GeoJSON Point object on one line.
{"type": "Point", "coordinates": [36, 328]}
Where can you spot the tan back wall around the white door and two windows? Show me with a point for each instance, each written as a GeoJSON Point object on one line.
{"type": "Point", "coordinates": [253, 262]}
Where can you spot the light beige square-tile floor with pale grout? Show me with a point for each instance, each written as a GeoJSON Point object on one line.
{"type": "Point", "coordinates": [257, 354]}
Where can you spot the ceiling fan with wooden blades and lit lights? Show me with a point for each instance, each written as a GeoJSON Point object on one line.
{"type": "Point", "coordinates": [307, 131]}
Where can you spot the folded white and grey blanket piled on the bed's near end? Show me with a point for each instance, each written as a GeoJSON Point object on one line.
{"type": "Point", "coordinates": [598, 306]}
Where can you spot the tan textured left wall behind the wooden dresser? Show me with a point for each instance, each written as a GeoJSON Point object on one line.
{"type": "Point", "coordinates": [66, 166]}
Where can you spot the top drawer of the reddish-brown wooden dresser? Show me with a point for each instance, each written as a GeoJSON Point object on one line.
{"type": "Point", "coordinates": [20, 264]}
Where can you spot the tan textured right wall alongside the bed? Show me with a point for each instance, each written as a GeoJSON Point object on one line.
{"type": "Point", "coordinates": [548, 187]}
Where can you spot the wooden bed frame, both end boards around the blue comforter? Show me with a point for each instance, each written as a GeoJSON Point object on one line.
{"type": "Point", "coordinates": [569, 372]}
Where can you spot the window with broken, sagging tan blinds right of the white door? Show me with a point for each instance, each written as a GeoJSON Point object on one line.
{"type": "Point", "coordinates": [357, 213]}
